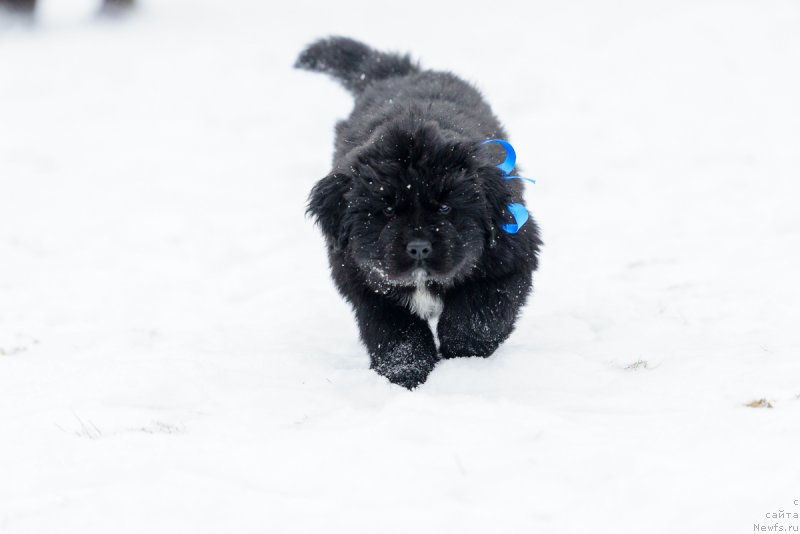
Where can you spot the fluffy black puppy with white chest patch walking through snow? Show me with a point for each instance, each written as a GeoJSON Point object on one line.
{"type": "Point", "coordinates": [413, 213]}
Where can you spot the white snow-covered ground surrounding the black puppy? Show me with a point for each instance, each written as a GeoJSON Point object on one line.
{"type": "Point", "coordinates": [174, 358]}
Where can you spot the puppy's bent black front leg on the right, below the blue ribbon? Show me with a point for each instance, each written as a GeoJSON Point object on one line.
{"type": "Point", "coordinates": [478, 317]}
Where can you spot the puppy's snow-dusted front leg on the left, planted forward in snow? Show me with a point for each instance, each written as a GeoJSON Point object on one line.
{"type": "Point", "coordinates": [400, 344]}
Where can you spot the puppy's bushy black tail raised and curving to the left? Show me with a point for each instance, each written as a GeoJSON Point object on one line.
{"type": "Point", "coordinates": [353, 64]}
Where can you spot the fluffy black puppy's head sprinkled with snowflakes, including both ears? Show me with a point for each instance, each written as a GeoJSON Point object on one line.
{"type": "Point", "coordinates": [413, 204]}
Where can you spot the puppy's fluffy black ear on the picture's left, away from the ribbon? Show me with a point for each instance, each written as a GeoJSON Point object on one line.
{"type": "Point", "coordinates": [327, 205]}
